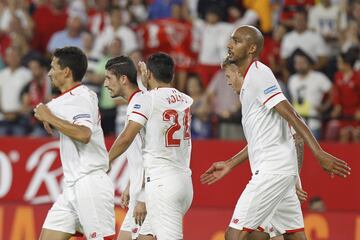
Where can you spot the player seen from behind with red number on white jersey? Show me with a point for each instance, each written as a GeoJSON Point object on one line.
{"type": "Point", "coordinates": [164, 113]}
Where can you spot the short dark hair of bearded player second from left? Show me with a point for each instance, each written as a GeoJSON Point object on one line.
{"type": "Point", "coordinates": [123, 65]}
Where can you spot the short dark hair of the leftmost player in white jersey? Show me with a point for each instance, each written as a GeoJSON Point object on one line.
{"type": "Point", "coordinates": [74, 59]}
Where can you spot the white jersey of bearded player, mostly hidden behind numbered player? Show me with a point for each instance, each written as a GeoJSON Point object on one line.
{"type": "Point", "coordinates": [134, 155]}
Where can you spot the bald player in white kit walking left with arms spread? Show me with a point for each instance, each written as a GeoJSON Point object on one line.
{"type": "Point", "coordinates": [269, 197]}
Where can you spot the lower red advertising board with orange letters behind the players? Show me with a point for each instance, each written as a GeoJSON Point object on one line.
{"type": "Point", "coordinates": [23, 222]}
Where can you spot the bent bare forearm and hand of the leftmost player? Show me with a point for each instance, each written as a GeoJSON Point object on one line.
{"type": "Point", "coordinates": [74, 131]}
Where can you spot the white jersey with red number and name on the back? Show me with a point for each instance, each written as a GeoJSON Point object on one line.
{"type": "Point", "coordinates": [165, 114]}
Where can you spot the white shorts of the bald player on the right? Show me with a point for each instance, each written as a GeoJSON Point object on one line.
{"type": "Point", "coordinates": [269, 202]}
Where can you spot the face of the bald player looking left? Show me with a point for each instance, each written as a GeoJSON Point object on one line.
{"type": "Point", "coordinates": [238, 46]}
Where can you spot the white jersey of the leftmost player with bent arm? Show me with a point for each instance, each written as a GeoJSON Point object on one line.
{"type": "Point", "coordinates": [79, 105]}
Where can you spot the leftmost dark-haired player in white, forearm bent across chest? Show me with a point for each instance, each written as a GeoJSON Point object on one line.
{"type": "Point", "coordinates": [87, 201]}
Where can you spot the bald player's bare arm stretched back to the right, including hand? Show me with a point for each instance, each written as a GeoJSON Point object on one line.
{"type": "Point", "coordinates": [329, 163]}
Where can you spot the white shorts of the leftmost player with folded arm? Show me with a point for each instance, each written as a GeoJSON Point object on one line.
{"type": "Point", "coordinates": [86, 207]}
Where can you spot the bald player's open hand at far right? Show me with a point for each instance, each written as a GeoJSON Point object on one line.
{"type": "Point", "coordinates": [333, 165]}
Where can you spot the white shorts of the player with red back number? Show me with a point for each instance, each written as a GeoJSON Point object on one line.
{"type": "Point", "coordinates": [168, 199]}
